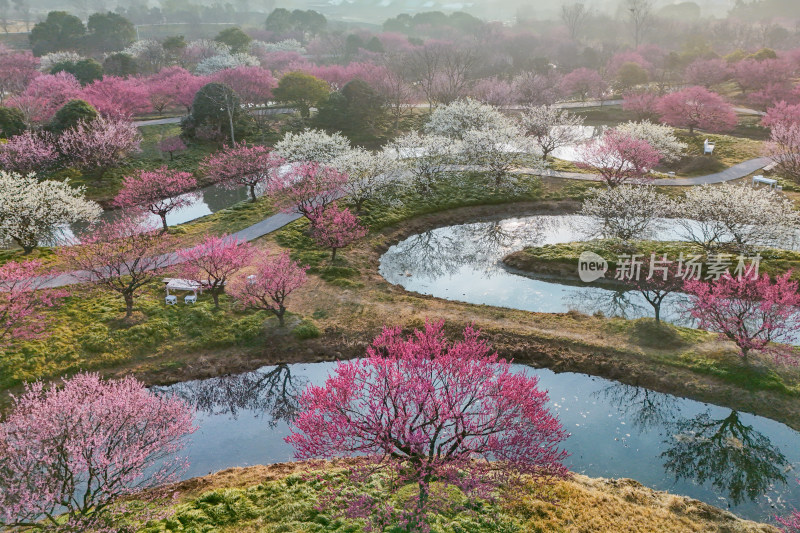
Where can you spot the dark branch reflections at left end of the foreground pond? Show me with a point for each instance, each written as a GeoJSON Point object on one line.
{"type": "Point", "coordinates": [271, 391]}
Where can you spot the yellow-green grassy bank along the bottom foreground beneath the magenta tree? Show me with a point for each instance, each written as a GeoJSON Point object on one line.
{"type": "Point", "coordinates": [285, 498]}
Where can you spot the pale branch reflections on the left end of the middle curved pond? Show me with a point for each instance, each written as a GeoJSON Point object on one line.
{"type": "Point", "coordinates": [441, 252]}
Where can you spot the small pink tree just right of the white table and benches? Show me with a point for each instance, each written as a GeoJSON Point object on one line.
{"type": "Point", "coordinates": [214, 261]}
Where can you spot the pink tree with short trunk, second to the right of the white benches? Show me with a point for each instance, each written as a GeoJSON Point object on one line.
{"type": "Point", "coordinates": [273, 279]}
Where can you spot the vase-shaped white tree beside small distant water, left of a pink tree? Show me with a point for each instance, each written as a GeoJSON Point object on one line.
{"type": "Point", "coordinates": [550, 128]}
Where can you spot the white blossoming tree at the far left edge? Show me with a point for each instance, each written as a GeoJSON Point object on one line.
{"type": "Point", "coordinates": [33, 211]}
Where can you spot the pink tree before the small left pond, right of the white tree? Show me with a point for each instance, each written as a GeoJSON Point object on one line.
{"type": "Point", "coordinates": [160, 191]}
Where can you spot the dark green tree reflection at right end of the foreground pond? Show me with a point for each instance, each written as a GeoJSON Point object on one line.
{"type": "Point", "coordinates": [732, 456]}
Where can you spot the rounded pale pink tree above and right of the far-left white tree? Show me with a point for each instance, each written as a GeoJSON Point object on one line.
{"type": "Point", "coordinates": [99, 144]}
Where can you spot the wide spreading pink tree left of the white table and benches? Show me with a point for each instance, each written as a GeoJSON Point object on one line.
{"type": "Point", "coordinates": [123, 256]}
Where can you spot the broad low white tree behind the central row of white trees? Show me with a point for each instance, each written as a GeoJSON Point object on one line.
{"type": "Point", "coordinates": [453, 120]}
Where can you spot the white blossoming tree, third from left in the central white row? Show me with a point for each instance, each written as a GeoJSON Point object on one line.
{"type": "Point", "coordinates": [426, 157]}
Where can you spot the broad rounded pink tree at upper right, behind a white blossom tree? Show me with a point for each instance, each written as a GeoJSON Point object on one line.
{"type": "Point", "coordinates": [697, 107]}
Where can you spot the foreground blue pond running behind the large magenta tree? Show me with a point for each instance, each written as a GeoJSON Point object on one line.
{"type": "Point", "coordinates": [729, 459]}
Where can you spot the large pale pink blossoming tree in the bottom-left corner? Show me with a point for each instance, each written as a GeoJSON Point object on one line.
{"type": "Point", "coordinates": [70, 452]}
